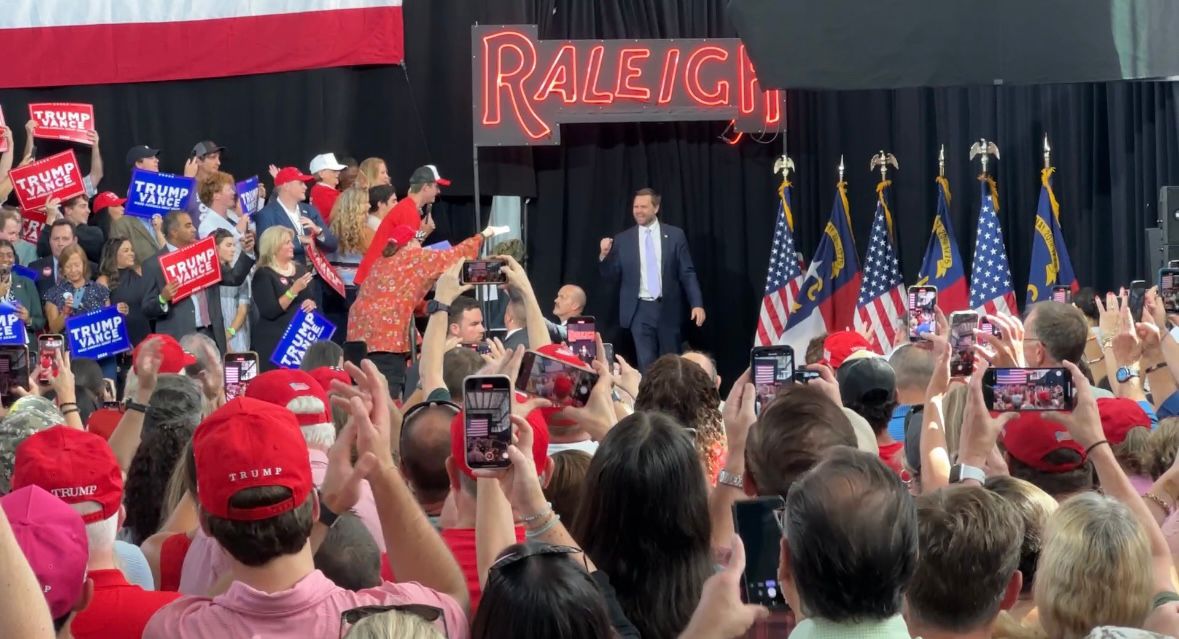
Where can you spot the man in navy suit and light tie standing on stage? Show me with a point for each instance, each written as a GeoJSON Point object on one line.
{"type": "Point", "coordinates": [657, 274]}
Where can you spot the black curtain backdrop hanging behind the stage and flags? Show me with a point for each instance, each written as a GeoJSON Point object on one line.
{"type": "Point", "coordinates": [1114, 146]}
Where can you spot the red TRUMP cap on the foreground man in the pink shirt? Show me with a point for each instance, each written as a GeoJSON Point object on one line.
{"type": "Point", "coordinates": [251, 444]}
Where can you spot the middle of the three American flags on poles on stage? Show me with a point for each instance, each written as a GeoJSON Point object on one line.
{"type": "Point", "coordinates": [882, 294]}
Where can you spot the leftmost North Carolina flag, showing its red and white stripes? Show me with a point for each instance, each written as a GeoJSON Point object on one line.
{"type": "Point", "coordinates": [827, 300]}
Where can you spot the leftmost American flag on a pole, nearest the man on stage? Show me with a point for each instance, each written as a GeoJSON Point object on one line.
{"type": "Point", "coordinates": [783, 279]}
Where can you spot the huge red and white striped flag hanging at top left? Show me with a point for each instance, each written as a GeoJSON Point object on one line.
{"type": "Point", "coordinates": [63, 43]}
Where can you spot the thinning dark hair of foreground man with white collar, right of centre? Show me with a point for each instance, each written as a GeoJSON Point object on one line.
{"type": "Point", "coordinates": [852, 532]}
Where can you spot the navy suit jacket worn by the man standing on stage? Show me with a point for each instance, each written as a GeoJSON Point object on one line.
{"type": "Point", "coordinates": [679, 274]}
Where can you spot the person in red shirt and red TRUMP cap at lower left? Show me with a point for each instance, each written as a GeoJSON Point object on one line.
{"type": "Point", "coordinates": [81, 469]}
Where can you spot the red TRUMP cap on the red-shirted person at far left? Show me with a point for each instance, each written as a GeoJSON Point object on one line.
{"type": "Point", "coordinates": [74, 466]}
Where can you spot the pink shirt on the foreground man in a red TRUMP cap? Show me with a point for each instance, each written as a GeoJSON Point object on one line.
{"type": "Point", "coordinates": [311, 609]}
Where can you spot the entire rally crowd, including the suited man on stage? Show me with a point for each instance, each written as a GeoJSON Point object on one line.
{"type": "Point", "coordinates": [339, 499]}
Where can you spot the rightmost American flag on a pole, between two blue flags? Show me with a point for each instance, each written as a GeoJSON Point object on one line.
{"type": "Point", "coordinates": [991, 278]}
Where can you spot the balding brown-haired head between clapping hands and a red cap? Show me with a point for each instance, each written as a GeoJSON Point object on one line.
{"type": "Point", "coordinates": [424, 453]}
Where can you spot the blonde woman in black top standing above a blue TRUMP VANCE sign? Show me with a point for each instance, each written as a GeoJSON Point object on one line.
{"type": "Point", "coordinates": [281, 287]}
